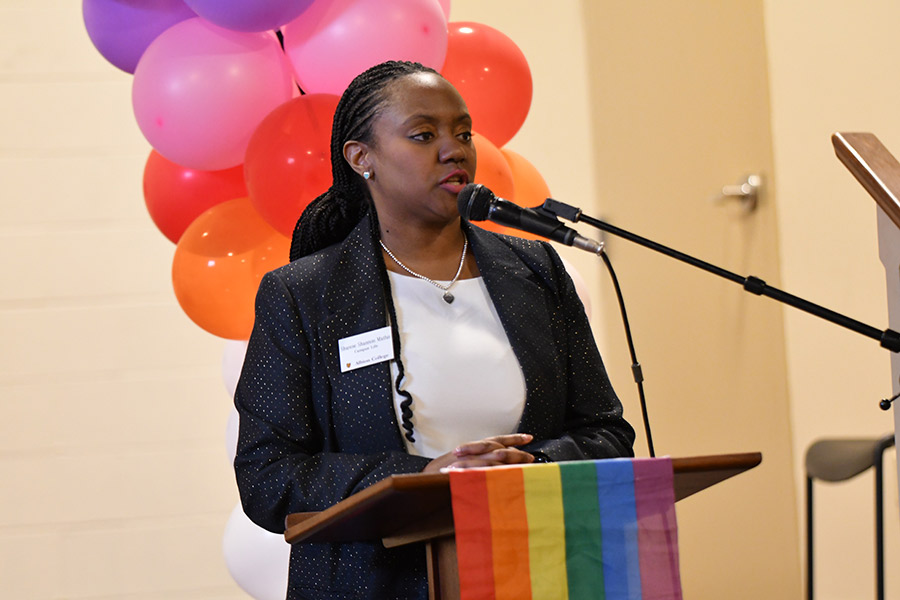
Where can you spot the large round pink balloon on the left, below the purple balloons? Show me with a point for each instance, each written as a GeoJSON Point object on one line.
{"type": "Point", "coordinates": [199, 92]}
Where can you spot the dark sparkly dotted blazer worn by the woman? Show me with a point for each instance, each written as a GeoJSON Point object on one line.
{"type": "Point", "coordinates": [311, 436]}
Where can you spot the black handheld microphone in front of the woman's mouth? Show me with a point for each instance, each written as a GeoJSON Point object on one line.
{"type": "Point", "coordinates": [477, 203]}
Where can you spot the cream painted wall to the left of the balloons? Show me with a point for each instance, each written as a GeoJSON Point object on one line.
{"type": "Point", "coordinates": [116, 481]}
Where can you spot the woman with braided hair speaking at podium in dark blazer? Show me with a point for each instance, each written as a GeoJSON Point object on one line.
{"type": "Point", "coordinates": [400, 339]}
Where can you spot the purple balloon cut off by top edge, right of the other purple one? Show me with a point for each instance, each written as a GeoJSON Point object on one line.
{"type": "Point", "coordinates": [249, 15]}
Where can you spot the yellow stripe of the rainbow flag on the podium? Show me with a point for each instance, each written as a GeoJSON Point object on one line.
{"type": "Point", "coordinates": [546, 532]}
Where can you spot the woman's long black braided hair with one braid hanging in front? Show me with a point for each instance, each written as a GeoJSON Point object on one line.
{"type": "Point", "coordinates": [332, 216]}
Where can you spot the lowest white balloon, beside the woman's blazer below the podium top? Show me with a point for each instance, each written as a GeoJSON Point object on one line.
{"type": "Point", "coordinates": [256, 559]}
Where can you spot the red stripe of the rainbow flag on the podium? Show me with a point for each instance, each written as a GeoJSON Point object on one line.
{"type": "Point", "coordinates": [472, 521]}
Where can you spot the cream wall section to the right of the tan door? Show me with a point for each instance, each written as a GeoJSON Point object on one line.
{"type": "Point", "coordinates": [833, 68]}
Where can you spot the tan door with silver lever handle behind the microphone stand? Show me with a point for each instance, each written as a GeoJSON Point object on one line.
{"type": "Point", "coordinates": [680, 108]}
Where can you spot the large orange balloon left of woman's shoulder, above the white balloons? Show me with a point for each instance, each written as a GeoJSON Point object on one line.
{"type": "Point", "coordinates": [218, 264]}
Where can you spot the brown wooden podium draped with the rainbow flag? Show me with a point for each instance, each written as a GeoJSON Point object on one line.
{"type": "Point", "coordinates": [404, 509]}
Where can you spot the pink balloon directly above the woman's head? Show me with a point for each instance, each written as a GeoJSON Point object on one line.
{"type": "Point", "coordinates": [333, 41]}
